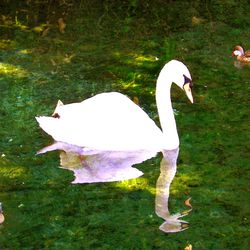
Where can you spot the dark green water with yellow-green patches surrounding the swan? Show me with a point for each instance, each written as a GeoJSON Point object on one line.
{"type": "Point", "coordinates": [114, 47]}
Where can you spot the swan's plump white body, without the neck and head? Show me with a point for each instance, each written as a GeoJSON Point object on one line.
{"type": "Point", "coordinates": [102, 123]}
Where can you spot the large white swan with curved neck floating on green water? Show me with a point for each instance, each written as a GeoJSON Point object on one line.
{"type": "Point", "coordinates": [111, 122]}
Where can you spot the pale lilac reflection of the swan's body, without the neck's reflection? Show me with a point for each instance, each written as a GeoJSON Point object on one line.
{"type": "Point", "coordinates": [98, 166]}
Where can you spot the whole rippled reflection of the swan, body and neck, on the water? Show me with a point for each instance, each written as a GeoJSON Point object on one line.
{"type": "Point", "coordinates": [98, 167]}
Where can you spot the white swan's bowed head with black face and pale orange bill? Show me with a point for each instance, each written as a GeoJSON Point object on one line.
{"type": "Point", "coordinates": [180, 75]}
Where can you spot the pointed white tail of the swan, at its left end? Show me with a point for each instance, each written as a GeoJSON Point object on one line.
{"type": "Point", "coordinates": [49, 125]}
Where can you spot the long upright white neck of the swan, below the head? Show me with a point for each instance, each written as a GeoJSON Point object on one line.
{"type": "Point", "coordinates": [166, 114]}
